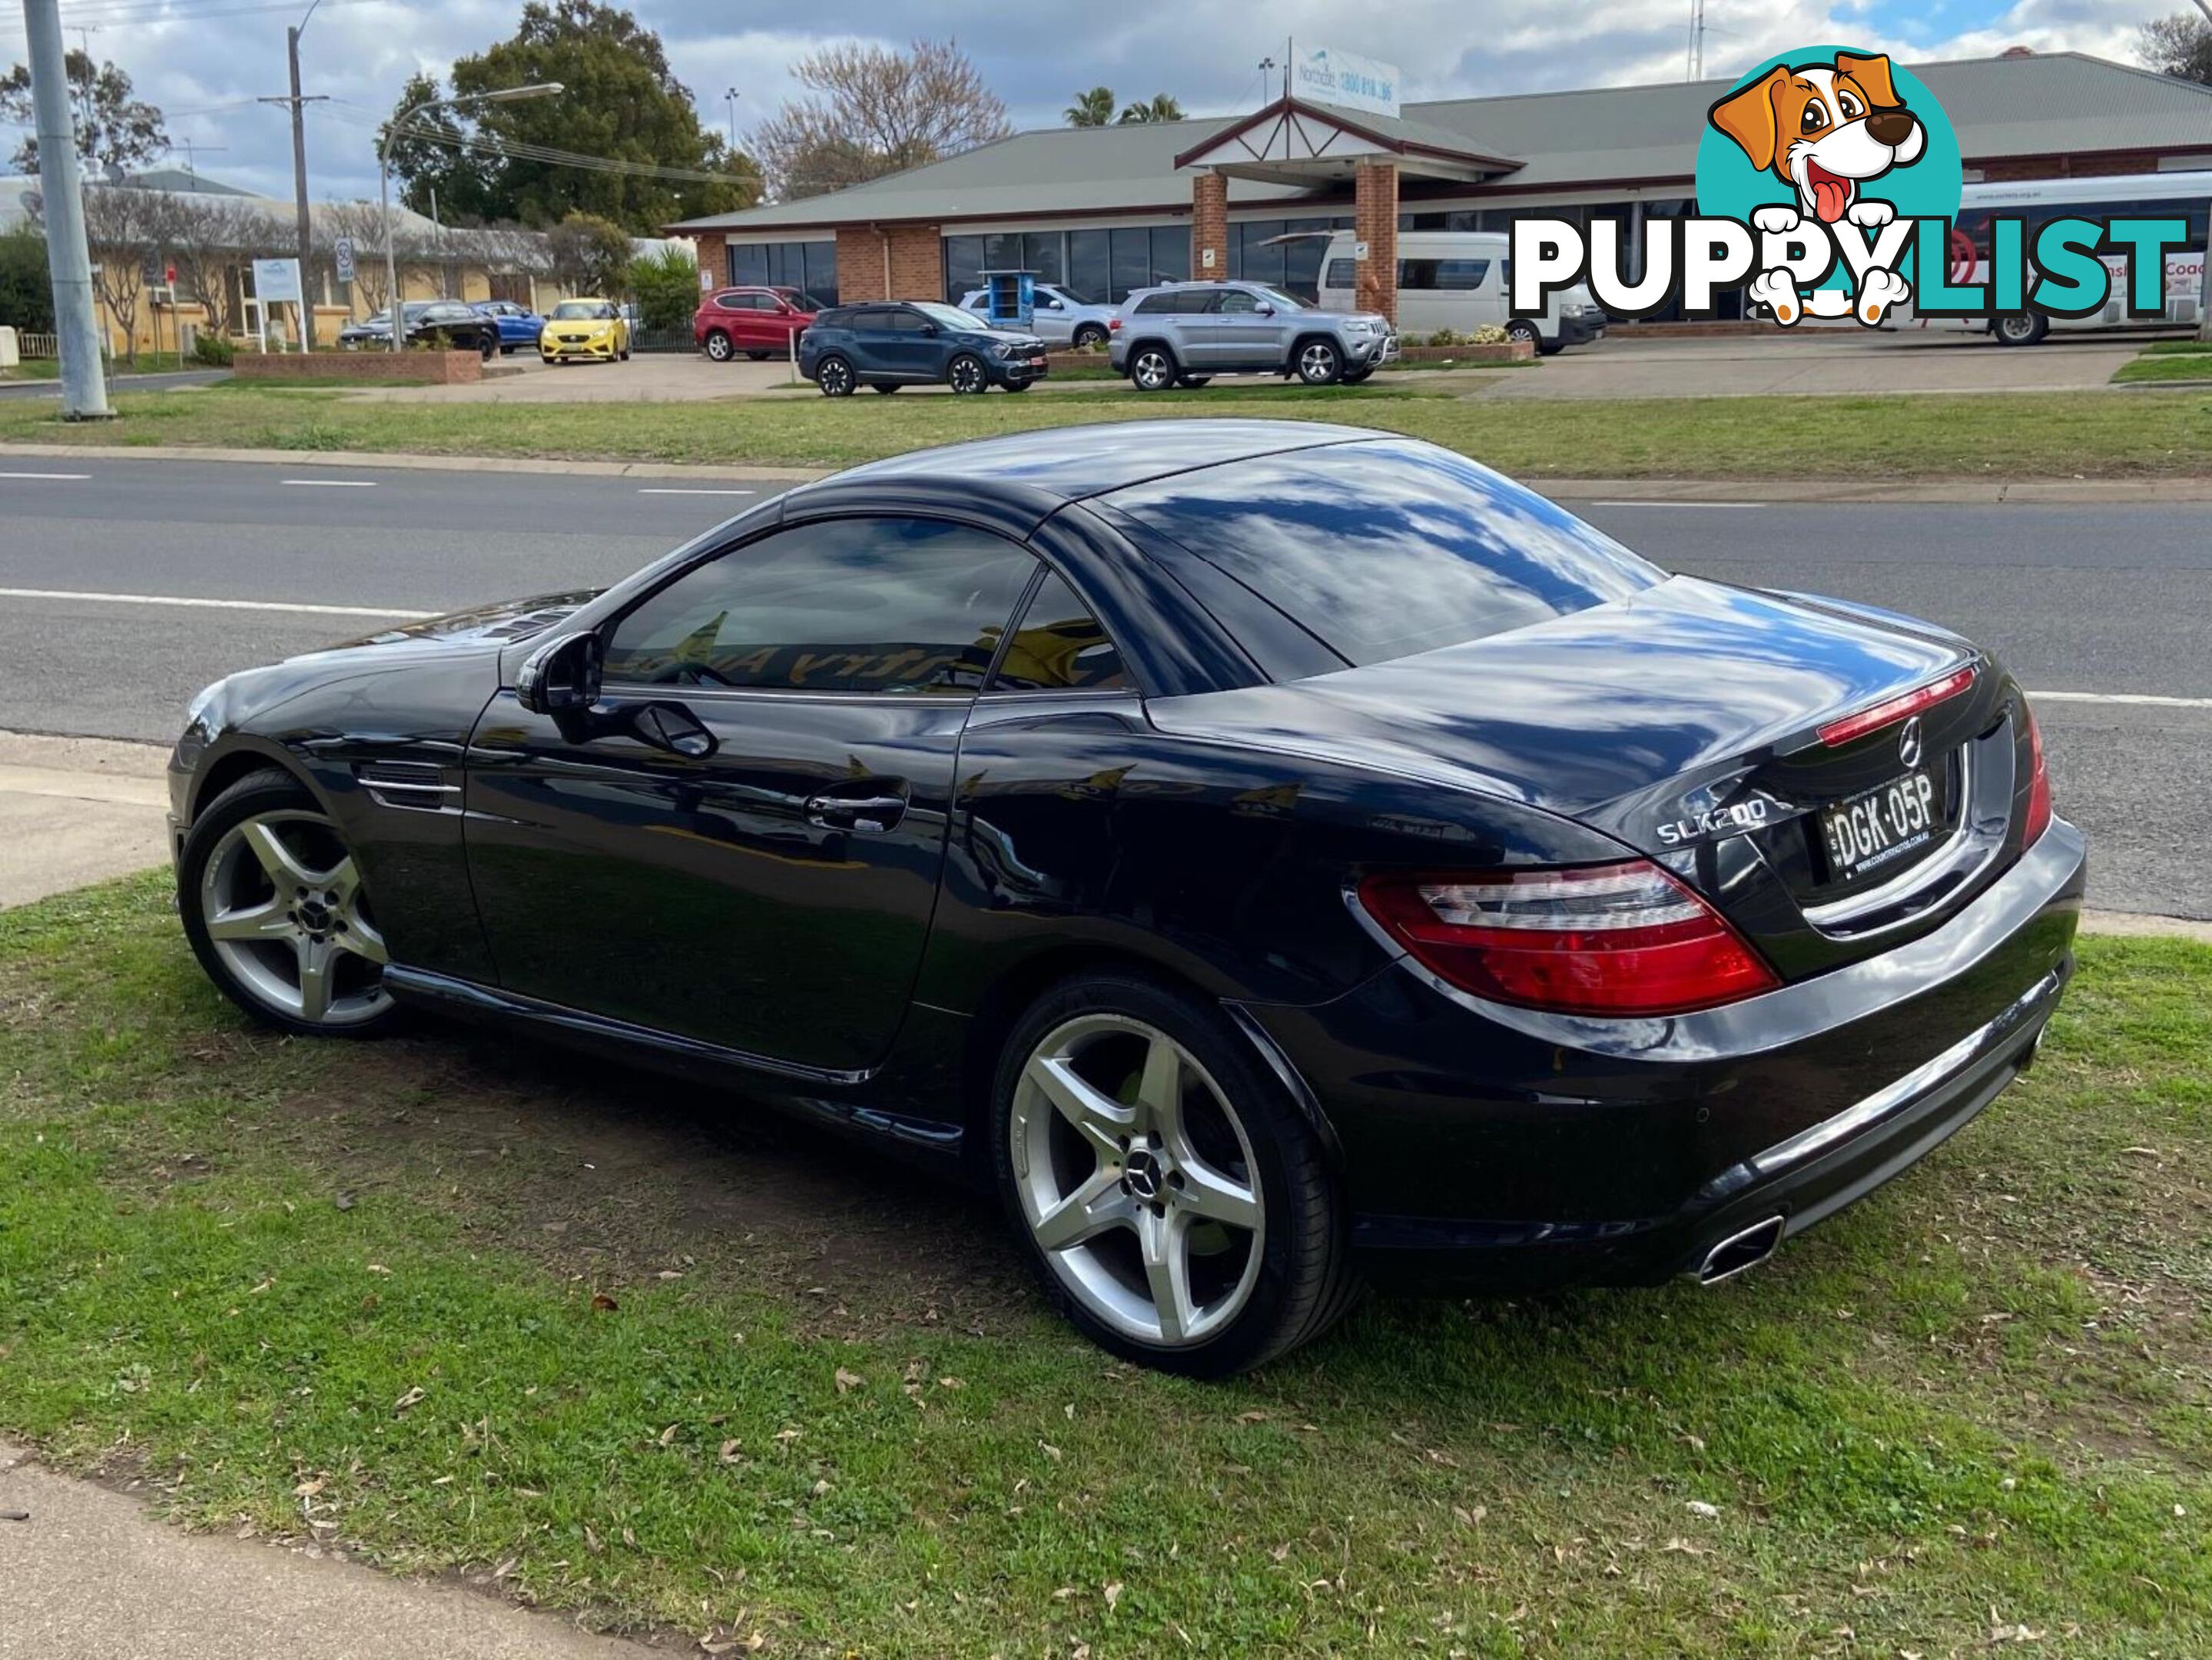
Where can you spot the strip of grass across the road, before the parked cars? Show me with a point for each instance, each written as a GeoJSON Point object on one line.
{"type": "Point", "coordinates": [1864, 437]}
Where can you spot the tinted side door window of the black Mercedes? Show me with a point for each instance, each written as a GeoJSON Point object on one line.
{"type": "Point", "coordinates": [857, 605]}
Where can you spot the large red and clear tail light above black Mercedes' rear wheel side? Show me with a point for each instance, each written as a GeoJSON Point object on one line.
{"type": "Point", "coordinates": [1600, 940]}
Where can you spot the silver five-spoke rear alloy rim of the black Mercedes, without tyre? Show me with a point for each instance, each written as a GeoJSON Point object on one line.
{"type": "Point", "coordinates": [1138, 1181]}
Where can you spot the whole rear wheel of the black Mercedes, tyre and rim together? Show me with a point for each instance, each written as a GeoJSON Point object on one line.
{"type": "Point", "coordinates": [1169, 1190]}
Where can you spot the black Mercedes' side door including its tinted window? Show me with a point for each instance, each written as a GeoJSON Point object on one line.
{"type": "Point", "coordinates": [742, 840]}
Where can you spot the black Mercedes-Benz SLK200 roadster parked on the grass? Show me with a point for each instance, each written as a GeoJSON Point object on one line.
{"type": "Point", "coordinates": [1271, 855]}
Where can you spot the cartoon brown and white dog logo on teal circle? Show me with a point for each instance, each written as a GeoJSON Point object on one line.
{"type": "Point", "coordinates": [1822, 152]}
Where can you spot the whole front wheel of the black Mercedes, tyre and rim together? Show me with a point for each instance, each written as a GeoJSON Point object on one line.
{"type": "Point", "coordinates": [278, 915]}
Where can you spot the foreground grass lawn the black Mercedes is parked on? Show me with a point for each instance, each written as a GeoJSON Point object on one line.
{"type": "Point", "coordinates": [629, 1349]}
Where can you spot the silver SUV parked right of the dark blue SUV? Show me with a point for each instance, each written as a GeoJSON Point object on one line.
{"type": "Point", "coordinates": [1189, 333]}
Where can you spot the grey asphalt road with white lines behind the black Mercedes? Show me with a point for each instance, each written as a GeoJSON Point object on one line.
{"type": "Point", "coordinates": [2085, 603]}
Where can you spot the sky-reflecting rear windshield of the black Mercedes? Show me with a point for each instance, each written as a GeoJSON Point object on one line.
{"type": "Point", "coordinates": [1388, 548]}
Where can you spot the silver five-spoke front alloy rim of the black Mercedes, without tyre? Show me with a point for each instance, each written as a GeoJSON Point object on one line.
{"type": "Point", "coordinates": [286, 913]}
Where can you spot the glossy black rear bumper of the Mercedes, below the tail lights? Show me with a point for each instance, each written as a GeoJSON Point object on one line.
{"type": "Point", "coordinates": [1523, 1152]}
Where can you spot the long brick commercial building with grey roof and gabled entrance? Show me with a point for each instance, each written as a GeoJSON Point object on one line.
{"type": "Point", "coordinates": [1120, 207]}
